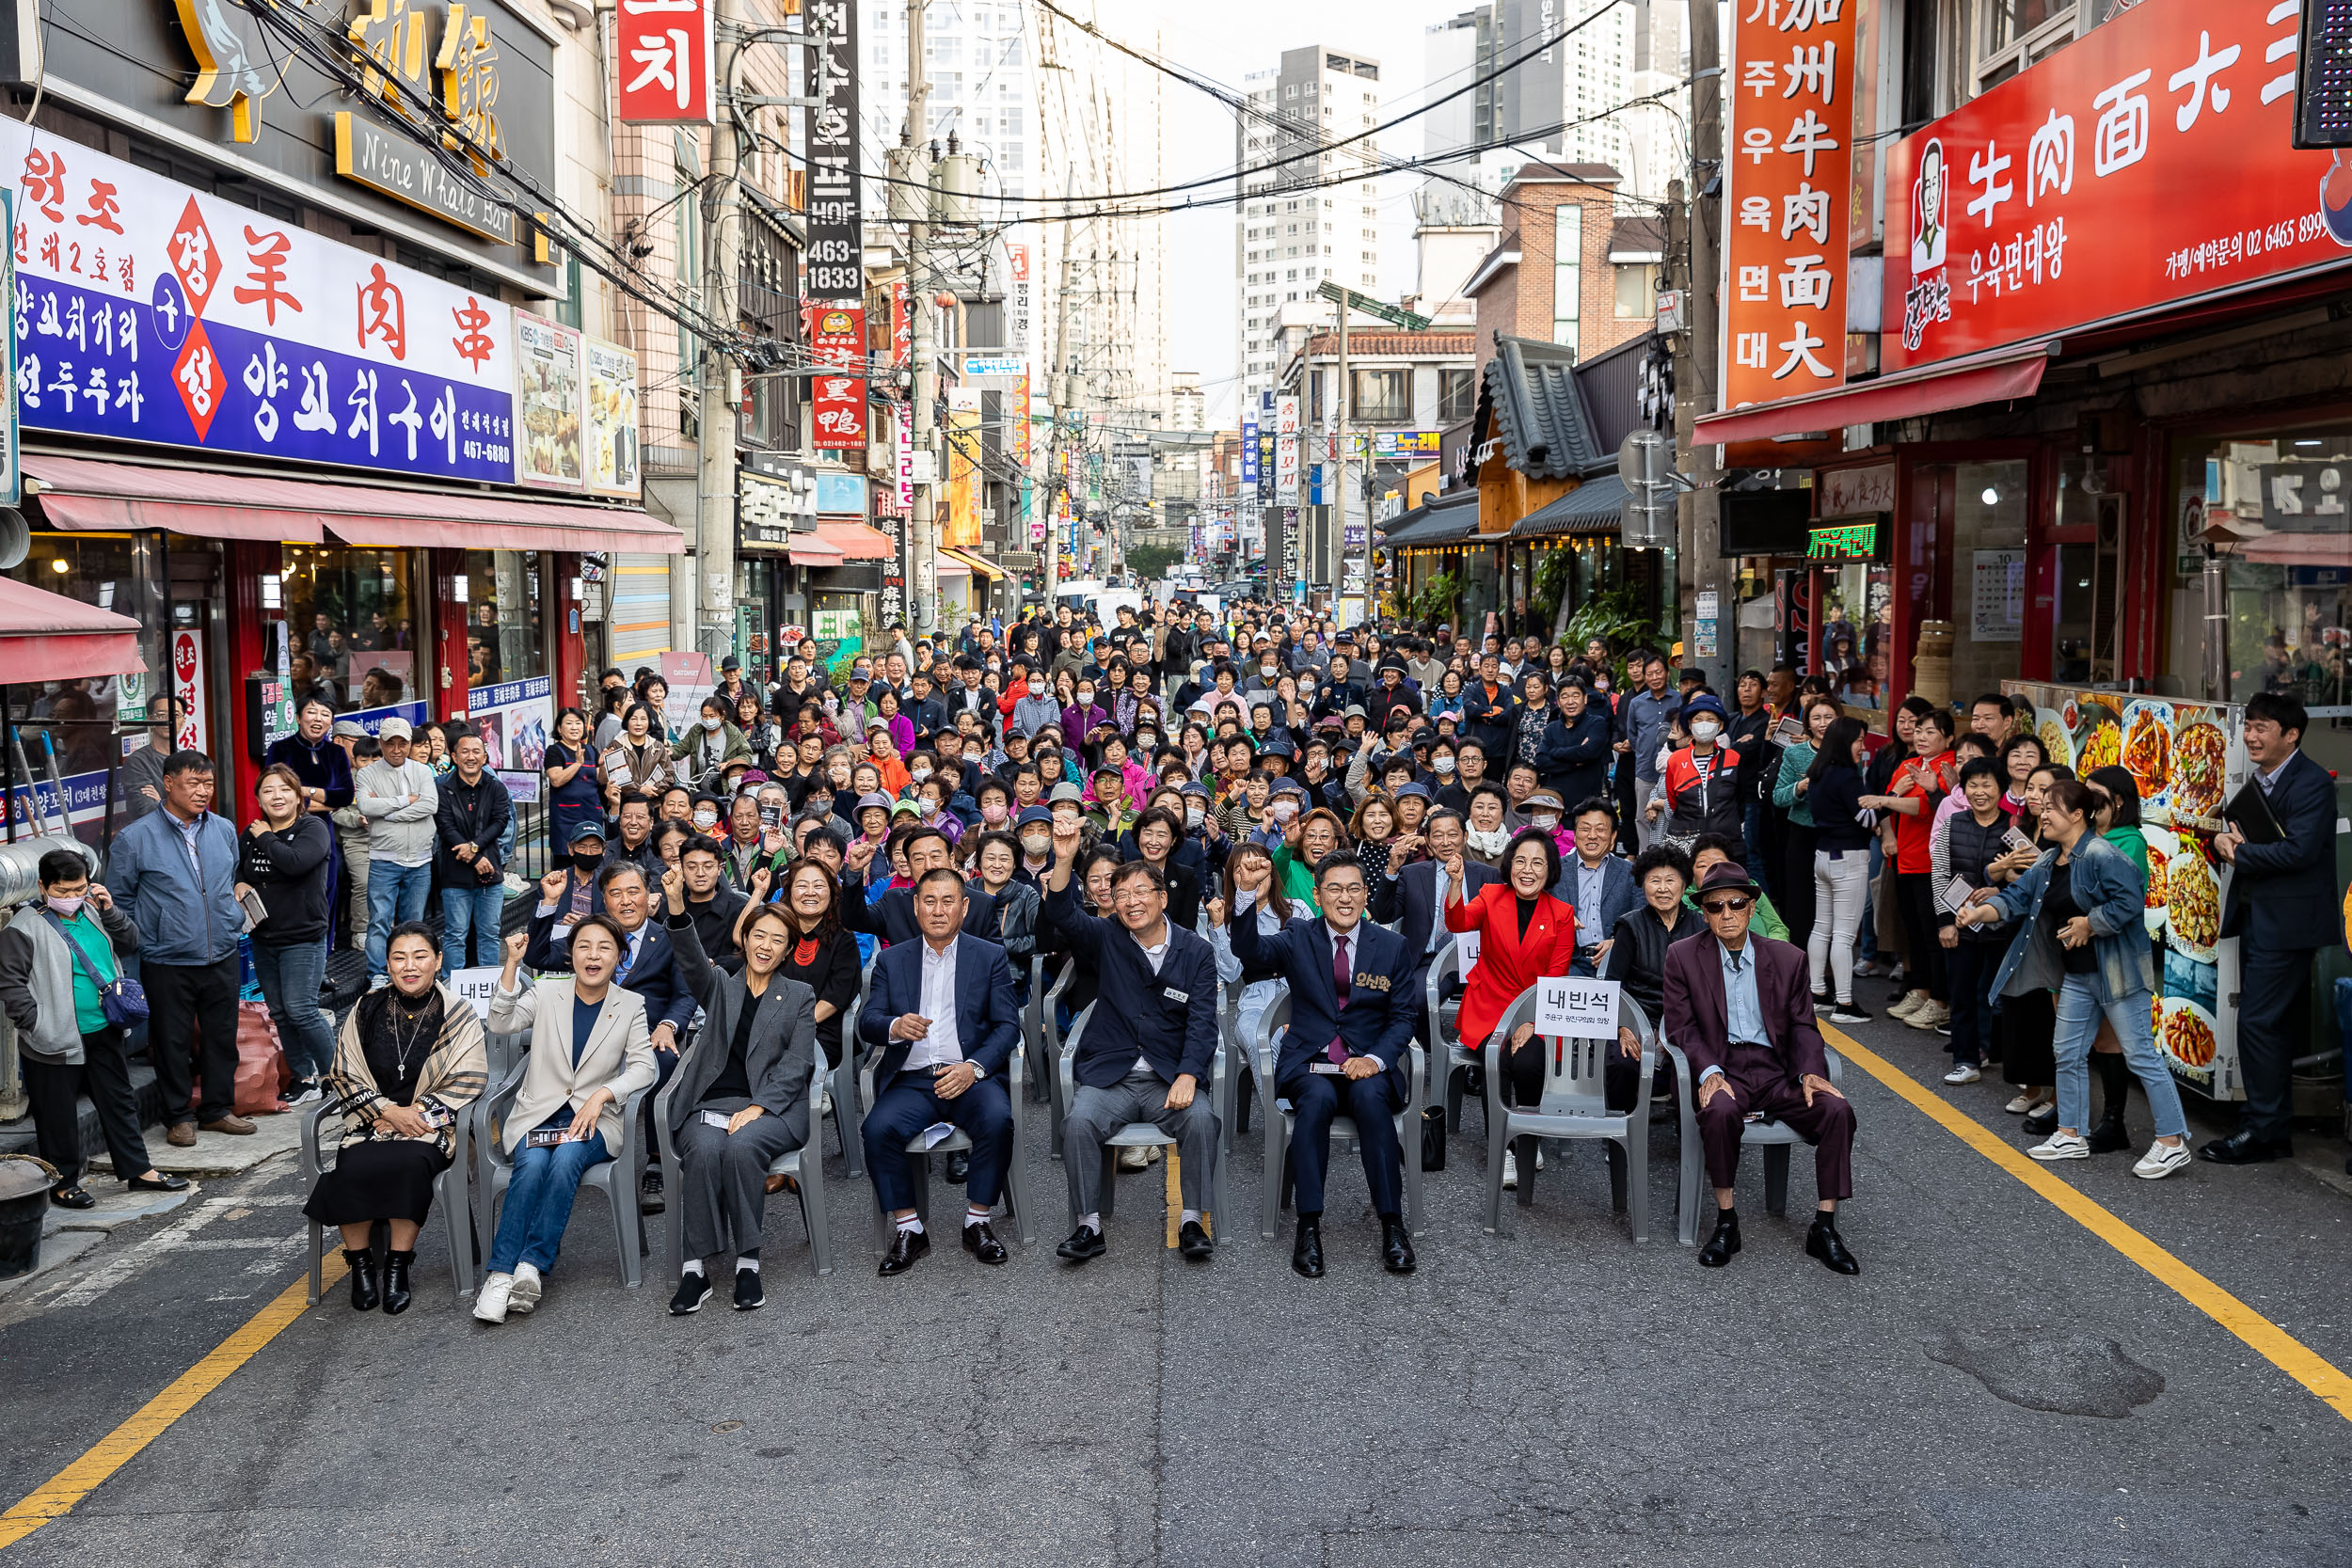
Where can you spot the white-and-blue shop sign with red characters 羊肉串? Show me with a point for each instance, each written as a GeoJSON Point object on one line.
{"type": "Point", "coordinates": [152, 314]}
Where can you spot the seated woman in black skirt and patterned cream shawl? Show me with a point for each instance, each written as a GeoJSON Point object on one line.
{"type": "Point", "coordinates": [408, 1066]}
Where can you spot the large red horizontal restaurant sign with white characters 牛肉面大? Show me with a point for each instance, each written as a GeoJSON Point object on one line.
{"type": "Point", "coordinates": [2141, 166]}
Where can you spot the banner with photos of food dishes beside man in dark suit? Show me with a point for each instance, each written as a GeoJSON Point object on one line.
{"type": "Point", "coordinates": [2186, 760]}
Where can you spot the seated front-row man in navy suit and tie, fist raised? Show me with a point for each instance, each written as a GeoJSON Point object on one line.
{"type": "Point", "coordinates": [1349, 1047]}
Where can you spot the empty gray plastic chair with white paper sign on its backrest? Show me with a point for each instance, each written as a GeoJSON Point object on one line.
{"type": "Point", "coordinates": [1575, 1108]}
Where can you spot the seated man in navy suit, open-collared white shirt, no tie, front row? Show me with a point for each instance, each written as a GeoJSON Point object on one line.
{"type": "Point", "coordinates": [942, 1012]}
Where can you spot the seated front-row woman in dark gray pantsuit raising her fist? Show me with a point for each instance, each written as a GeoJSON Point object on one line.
{"type": "Point", "coordinates": [742, 1097]}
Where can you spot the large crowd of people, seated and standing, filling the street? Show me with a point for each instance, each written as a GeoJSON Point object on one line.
{"type": "Point", "coordinates": [1172, 805]}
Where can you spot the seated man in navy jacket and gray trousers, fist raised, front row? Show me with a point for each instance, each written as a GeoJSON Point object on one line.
{"type": "Point", "coordinates": [1149, 1043]}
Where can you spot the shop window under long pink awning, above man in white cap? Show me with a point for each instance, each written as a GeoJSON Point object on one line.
{"type": "Point", "coordinates": [356, 624]}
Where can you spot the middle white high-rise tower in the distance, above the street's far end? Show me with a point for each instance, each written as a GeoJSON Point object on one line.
{"type": "Point", "coordinates": [1309, 208]}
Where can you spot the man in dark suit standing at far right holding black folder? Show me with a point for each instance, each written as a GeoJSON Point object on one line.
{"type": "Point", "coordinates": [2283, 906]}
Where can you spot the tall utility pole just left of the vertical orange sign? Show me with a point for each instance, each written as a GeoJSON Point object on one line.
{"type": "Point", "coordinates": [1699, 532]}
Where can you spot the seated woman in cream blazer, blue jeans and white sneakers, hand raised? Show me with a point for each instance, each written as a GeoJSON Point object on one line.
{"type": "Point", "coordinates": [589, 1054]}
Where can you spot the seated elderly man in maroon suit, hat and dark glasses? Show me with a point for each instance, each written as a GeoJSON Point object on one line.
{"type": "Point", "coordinates": [1744, 1012]}
